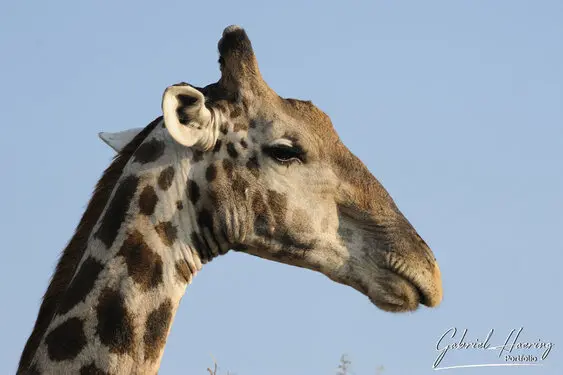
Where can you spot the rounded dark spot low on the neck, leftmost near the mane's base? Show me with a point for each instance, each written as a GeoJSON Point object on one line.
{"type": "Point", "coordinates": [66, 341]}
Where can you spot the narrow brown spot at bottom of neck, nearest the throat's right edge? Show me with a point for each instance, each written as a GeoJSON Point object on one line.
{"type": "Point", "coordinates": [156, 330]}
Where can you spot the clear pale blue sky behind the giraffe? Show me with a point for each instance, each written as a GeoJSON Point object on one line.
{"type": "Point", "coordinates": [456, 106]}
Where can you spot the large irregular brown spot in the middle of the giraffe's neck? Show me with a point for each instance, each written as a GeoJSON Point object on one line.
{"type": "Point", "coordinates": [143, 265]}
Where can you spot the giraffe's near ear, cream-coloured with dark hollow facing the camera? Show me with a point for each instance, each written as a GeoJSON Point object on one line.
{"type": "Point", "coordinates": [187, 118]}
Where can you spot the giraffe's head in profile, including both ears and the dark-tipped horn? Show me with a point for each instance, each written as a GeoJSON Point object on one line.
{"type": "Point", "coordinates": [269, 176]}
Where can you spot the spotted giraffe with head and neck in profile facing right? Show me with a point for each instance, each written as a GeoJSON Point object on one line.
{"type": "Point", "coordinates": [230, 166]}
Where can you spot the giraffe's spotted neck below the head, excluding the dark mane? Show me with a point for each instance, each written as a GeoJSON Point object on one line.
{"type": "Point", "coordinates": [144, 249]}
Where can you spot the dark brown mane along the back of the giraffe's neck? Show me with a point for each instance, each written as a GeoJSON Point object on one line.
{"type": "Point", "coordinates": [74, 251]}
